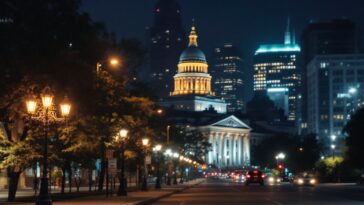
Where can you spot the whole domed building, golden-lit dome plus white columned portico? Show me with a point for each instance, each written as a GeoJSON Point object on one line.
{"type": "Point", "coordinates": [192, 94]}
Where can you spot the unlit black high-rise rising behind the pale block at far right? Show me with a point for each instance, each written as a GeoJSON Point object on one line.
{"type": "Point", "coordinates": [338, 36]}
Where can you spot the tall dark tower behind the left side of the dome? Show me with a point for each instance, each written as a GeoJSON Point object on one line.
{"type": "Point", "coordinates": [166, 40]}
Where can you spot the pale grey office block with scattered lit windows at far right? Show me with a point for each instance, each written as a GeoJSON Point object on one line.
{"type": "Point", "coordinates": [335, 85]}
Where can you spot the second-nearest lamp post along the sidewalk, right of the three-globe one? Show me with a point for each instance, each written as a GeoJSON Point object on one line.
{"type": "Point", "coordinates": [121, 138]}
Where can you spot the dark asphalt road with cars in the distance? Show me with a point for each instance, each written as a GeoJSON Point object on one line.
{"type": "Point", "coordinates": [224, 192]}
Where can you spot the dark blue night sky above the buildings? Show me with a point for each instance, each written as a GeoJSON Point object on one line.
{"type": "Point", "coordinates": [246, 23]}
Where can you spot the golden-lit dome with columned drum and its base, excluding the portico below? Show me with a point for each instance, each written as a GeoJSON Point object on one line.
{"type": "Point", "coordinates": [192, 83]}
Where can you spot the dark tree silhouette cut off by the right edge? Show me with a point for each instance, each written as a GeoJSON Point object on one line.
{"type": "Point", "coordinates": [355, 140]}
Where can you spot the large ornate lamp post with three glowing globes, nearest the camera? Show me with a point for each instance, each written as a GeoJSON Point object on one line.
{"type": "Point", "coordinates": [46, 114]}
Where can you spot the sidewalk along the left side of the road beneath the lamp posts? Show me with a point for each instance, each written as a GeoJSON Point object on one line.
{"type": "Point", "coordinates": [133, 198]}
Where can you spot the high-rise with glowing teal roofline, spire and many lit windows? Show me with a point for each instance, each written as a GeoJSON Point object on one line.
{"type": "Point", "coordinates": [275, 66]}
